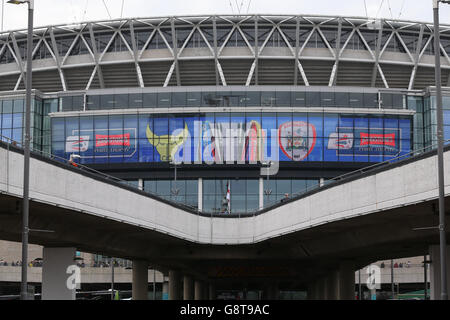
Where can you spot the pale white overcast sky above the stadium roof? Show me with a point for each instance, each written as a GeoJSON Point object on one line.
{"type": "Point", "coordinates": [49, 12]}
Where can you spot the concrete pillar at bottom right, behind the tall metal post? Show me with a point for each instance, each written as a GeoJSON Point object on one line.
{"type": "Point", "coordinates": [435, 272]}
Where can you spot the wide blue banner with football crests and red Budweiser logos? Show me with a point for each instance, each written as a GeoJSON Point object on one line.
{"type": "Point", "coordinates": [232, 138]}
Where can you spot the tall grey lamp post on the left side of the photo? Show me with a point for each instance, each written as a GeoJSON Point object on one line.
{"type": "Point", "coordinates": [26, 147]}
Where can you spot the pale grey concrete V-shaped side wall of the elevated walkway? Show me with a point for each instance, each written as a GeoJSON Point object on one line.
{"type": "Point", "coordinates": [53, 183]}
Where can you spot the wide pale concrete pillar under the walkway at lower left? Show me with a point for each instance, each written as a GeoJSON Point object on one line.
{"type": "Point", "coordinates": [60, 275]}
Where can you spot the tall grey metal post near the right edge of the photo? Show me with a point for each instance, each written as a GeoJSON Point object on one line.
{"type": "Point", "coordinates": [440, 136]}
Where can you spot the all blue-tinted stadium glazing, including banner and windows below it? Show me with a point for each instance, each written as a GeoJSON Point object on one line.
{"type": "Point", "coordinates": [305, 136]}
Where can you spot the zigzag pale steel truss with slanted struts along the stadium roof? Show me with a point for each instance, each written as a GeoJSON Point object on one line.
{"type": "Point", "coordinates": [256, 34]}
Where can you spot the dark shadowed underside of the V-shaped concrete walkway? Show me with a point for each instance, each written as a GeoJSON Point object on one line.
{"type": "Point", "coordinates": [296, 257]}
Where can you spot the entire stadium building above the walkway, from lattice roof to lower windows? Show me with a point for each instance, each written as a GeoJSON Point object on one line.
{"type": "Point", "coordinates": [194, 108]}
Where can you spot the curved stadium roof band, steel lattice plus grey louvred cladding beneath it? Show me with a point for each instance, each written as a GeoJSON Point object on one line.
{"type": "Point", "coordinates": [226, 50]}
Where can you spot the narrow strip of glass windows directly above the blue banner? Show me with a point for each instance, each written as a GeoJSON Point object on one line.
{"type": "Point", "coordinates": [235, 99]}
